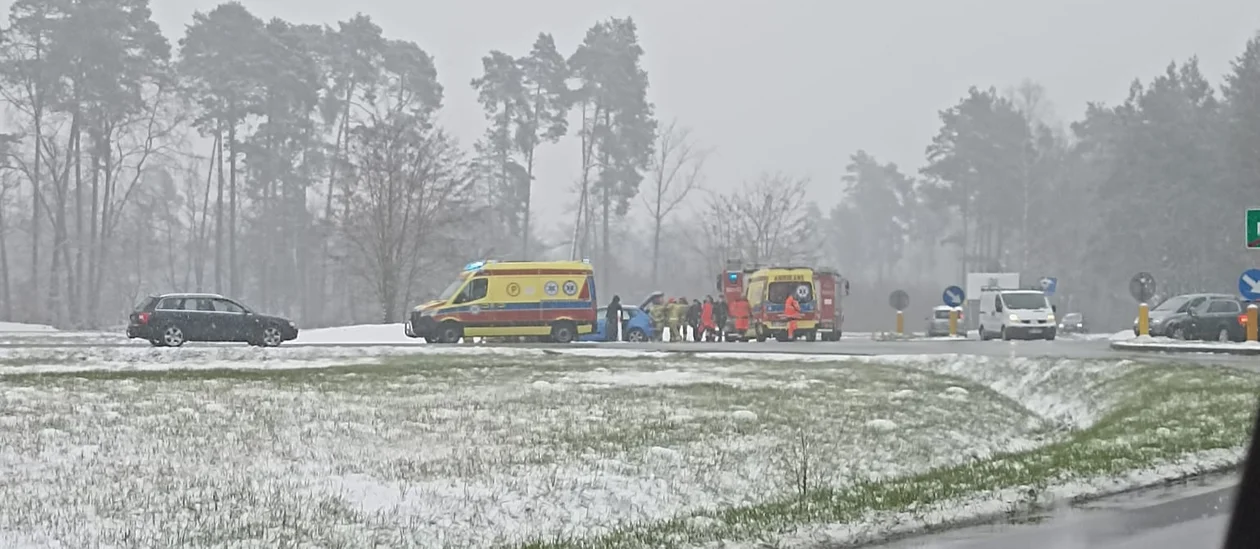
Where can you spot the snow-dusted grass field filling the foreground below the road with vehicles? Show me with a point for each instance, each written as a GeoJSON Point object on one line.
{"type": "Point", "coordinates": [487, 446]}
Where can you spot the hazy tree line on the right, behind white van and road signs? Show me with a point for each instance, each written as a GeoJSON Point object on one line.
{"type": "Point", "coordinates": [1157, 183]}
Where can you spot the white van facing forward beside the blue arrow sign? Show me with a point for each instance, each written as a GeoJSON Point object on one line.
{"type": "Point", "coordinates": [1010, 314]}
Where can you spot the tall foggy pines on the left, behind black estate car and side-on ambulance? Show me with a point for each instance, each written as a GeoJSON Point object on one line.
{"type": "Point", "coordinates": [301, 168]}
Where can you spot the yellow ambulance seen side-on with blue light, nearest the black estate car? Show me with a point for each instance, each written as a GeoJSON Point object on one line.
{"type": "Point", "coordinates": [554, 302]}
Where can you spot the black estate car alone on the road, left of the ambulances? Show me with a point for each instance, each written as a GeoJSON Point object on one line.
{"type": "Point", "coordinates": [175, 319]}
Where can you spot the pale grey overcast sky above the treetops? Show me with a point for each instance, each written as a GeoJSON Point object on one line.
{"type": "Point", "coordinates": [797, 86]}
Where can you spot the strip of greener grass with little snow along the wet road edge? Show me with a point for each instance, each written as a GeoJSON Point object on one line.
{"type": "Point", "coordinates": [1164, 414]}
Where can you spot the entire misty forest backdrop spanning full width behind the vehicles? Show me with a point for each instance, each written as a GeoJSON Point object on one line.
{"type": "Point", "coordinates": [303, 169]}
